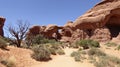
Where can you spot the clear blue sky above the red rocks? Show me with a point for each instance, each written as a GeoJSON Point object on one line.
{"type": "Point", "coordinates": [44, 12]}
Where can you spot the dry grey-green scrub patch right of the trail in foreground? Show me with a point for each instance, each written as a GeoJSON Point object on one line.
{"type": "Point", "coordinates": [97, 57]}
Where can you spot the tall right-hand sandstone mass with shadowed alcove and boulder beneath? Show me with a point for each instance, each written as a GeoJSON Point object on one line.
{"type": "Point", "coordinates": [104, 14]}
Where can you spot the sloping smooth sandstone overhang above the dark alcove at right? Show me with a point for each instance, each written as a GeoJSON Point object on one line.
{"type": "Point", "coordinates": [104, 13]}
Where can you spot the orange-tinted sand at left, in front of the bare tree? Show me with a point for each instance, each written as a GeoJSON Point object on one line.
{"type": "Point", "coordinates": [22, 56]}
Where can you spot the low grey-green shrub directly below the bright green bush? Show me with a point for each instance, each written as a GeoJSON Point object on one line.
{"type": "Point", "coordinates": [95, 52]}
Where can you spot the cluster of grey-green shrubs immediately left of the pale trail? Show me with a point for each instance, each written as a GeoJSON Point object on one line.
{"type": "Point", "coordinates": [42, 52]}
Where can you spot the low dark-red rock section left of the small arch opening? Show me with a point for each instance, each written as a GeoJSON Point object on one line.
{"type": "Point", "coordinates": [50, 31]}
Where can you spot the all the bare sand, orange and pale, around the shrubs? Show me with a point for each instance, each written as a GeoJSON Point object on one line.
{"type": "Point", "coordinates": [23, 57]}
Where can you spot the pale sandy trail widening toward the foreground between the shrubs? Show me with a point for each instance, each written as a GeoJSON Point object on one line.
{"type": "Point", "coordinates": [63, 61]}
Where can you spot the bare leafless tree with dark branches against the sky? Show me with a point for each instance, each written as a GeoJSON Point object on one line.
{"type": "Point", "coordinates": [18, 32]}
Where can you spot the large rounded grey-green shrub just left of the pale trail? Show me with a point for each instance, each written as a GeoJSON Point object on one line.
{"type": "Point", "coordinates": [41, 53]}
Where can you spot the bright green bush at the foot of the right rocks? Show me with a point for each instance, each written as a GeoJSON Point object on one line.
{"type": "Point", "coordinates": [88, 43]}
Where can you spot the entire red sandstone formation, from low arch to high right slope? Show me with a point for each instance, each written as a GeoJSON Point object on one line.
{"type": "Point", "coordinates": [100, 23]}
